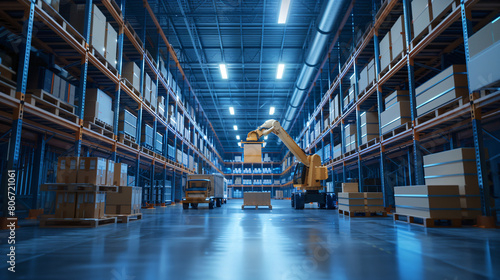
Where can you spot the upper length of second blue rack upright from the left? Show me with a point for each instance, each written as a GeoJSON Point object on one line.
{"type": "Point", "coordinates": [83, 77]}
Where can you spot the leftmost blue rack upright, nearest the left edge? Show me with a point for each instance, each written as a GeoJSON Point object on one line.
{"type": "Point", "coordinates": [17, 121]}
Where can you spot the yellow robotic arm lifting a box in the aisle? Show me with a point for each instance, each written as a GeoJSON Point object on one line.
{"type": "Point", "coordinates": [311, 173]}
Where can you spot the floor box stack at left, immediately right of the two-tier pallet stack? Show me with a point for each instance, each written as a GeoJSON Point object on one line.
{"type": "Point", "coordinates": [126, 201]}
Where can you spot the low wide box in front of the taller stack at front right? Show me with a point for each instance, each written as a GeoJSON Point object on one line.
{"type": "Point", "coordinates": [427, 201]}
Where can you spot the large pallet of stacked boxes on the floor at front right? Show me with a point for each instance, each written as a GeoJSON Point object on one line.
{"type": "Point", "coordinates": [451, 196]}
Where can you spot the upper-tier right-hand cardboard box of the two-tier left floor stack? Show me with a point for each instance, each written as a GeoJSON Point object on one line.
{"type": "Point", "coordinates": [92, 170]}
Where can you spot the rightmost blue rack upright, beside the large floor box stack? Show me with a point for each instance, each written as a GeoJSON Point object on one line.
{"type": "Point", "coordinates": [477, 128]}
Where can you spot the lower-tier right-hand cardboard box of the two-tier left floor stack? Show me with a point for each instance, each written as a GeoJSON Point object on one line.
{"type": "Point", "coordinates": [90, 205]}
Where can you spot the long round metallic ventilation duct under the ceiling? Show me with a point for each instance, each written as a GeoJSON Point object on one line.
{"type": "Point", "coordinates": [328, 22]}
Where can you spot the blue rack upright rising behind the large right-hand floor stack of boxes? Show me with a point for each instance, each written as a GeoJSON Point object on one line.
{"type": "Point", "coordinates": [418, 168]}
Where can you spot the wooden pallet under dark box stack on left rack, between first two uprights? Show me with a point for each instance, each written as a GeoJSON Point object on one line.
{"type": "Point", "coordinates": [52, 105]}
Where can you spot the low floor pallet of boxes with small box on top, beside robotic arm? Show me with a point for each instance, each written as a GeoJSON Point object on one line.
{"type": "Point", "coordinates": [365, 204]}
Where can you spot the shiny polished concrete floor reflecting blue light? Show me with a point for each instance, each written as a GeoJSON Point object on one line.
{"type": "Point", "coordinates": [230, 243]}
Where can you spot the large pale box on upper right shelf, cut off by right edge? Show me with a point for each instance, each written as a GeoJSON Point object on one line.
{"type": "Point", "coordinates": [484, 49]}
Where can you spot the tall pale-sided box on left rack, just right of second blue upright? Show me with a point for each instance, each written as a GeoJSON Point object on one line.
{"type": "Point", "coordinates": [98, 106]}
